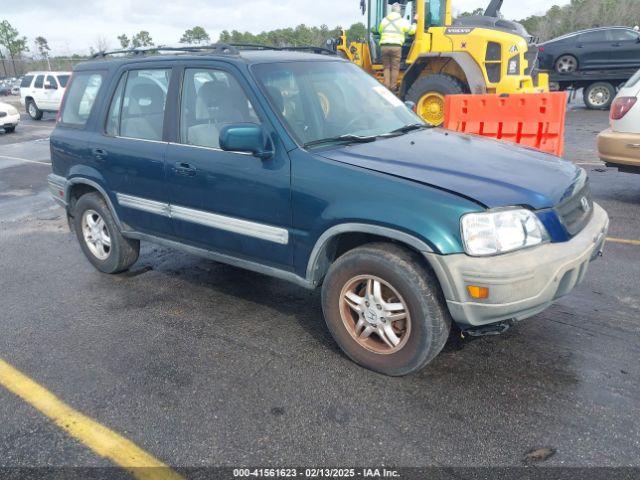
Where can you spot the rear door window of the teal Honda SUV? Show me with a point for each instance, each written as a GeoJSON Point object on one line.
{"type": "Point", "coordinates": [145, 97]}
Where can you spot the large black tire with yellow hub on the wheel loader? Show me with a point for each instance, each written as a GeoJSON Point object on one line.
{"type": "Point", "coordinates": [428, 94]}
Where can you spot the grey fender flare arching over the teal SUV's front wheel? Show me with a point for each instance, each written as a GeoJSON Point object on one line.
{"type": "Point", "coordinates": [318, 260]}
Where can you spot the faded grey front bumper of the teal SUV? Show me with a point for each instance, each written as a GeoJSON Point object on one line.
{"type": "Point", "coordinates": [523, 283]}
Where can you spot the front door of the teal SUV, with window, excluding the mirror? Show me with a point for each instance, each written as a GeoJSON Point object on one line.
{"type": "Point", "coordinates": [233, 203]}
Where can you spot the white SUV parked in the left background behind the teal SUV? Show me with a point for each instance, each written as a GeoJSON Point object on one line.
{"type": "Point", "coordinates": [42, 92]}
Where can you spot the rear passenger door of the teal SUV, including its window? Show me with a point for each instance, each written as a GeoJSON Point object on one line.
{"type": "Point", "coordinates": [129, 146]}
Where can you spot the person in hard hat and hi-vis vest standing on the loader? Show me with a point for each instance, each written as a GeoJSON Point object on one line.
{"type": "Point", "coordinates": [393, 29]}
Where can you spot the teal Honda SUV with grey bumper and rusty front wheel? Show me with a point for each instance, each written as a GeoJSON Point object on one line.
{"type": "Point", "coordinates": [305, 168]}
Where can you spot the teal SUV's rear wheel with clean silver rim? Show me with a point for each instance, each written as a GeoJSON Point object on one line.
{"type": "Point", "coordinates": [99, 236]}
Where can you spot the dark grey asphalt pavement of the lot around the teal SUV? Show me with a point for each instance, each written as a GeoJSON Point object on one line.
{"type": "Point", "coordinates": [203, 364]}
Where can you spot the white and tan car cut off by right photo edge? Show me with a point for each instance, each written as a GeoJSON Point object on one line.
{"type": "Point", "coordinates": [619, 145]}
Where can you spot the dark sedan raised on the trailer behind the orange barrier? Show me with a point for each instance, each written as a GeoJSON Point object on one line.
{"type": "Point", "coordinates": [593, 49]}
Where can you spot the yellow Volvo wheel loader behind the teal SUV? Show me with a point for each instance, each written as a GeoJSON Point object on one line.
{"type": "Point", "coordinates": [476, 54]}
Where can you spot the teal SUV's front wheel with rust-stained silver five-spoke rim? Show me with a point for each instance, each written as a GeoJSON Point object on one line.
{"type": "Point", "coordinates": [385, 309]}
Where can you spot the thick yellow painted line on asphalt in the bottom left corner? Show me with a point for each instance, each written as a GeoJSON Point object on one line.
{"type": "Point", "coordinates": [100, 439]}
